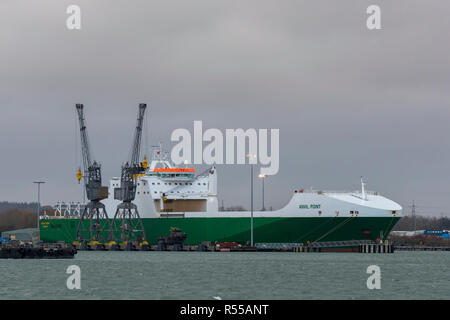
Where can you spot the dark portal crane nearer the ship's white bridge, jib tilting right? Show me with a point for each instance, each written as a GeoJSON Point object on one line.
{"type": "Point", "coordinates": [127, 225]}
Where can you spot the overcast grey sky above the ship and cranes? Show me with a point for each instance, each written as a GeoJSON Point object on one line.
{"type": "Point", "coordinates": [348, 101]}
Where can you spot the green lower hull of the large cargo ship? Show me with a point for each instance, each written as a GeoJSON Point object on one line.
{"type": "Point", "coordinates": [227, 229]}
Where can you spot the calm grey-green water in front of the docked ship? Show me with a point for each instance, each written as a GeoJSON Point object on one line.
{"type": "Point", "coordinates": [190, 275]}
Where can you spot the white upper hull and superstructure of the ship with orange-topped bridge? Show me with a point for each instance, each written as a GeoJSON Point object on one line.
{"type": "Point", "coordinates": [165, 190]}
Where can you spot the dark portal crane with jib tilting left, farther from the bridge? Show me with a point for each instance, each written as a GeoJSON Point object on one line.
{"type": "Point", "coordinates": [94, 224]}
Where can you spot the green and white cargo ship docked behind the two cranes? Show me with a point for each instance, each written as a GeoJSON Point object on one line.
{"type": "Point", "coordinates": [171, 196]}
